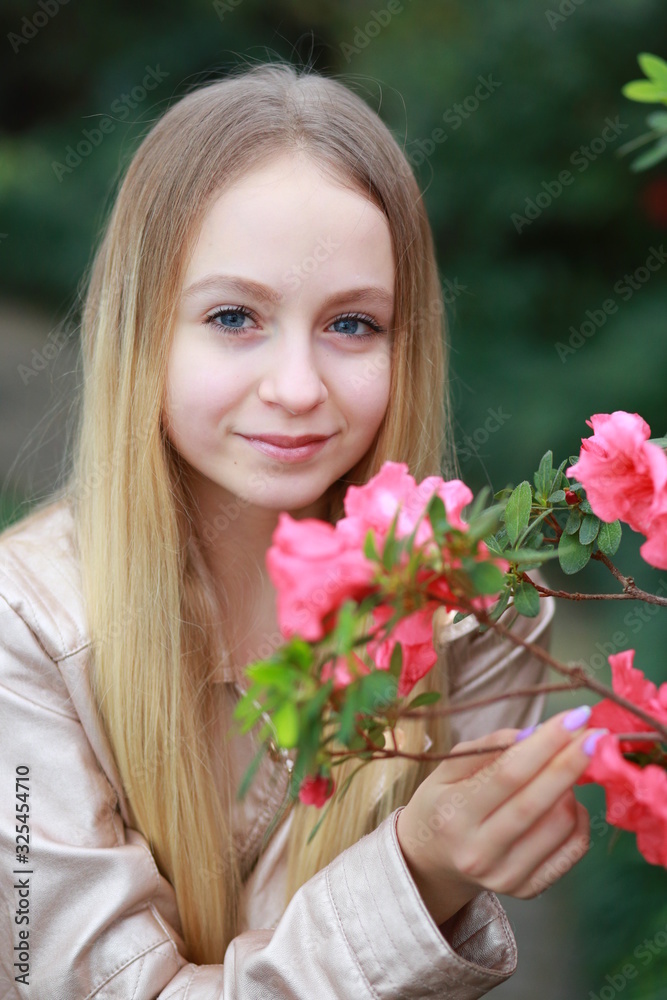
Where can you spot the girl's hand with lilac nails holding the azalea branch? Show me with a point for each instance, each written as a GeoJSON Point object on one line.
{"type": "Point", "coordinates": [506, 821]}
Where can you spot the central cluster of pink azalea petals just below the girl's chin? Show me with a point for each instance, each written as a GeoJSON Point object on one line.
{"type": "Point", "coordinates": [316, 566]}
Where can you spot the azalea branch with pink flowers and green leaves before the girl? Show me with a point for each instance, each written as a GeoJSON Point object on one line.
{"type": "Point", "coordinates": [356, 601]}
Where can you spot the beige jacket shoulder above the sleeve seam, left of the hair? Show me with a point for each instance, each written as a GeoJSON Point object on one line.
{"type": "Point", "coordinates": [40, 579]}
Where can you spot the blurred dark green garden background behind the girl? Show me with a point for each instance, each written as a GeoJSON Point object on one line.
{"type": "Point", "coordinates": [512, 116]}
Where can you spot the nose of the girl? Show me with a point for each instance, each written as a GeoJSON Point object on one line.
{"type": "Point", "coordinates": [292, 378]}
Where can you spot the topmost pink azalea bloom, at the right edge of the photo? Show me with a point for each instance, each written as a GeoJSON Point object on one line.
{"type": "Point", "coordinates": [623, 474]}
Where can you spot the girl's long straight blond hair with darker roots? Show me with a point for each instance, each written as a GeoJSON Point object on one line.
{"type": "Point", "coordinates": [146, 591]}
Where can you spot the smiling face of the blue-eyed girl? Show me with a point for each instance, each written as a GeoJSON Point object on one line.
{"type": "Point", "coordinates": [278, 375]}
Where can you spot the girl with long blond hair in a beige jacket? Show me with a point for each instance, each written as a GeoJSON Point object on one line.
{"type": "Point", "coordinates": [263, 326]}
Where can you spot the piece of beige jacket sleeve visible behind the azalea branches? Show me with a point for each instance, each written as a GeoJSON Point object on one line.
{"type": "Point", "coordinates": [483, 664]}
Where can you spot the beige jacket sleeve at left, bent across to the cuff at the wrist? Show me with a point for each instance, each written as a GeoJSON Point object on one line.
{"type": "Point", "coordinates": [100, 918]}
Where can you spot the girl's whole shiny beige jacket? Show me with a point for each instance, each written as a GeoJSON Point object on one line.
{"type": "Point", "coordinates": [103, 921]}
